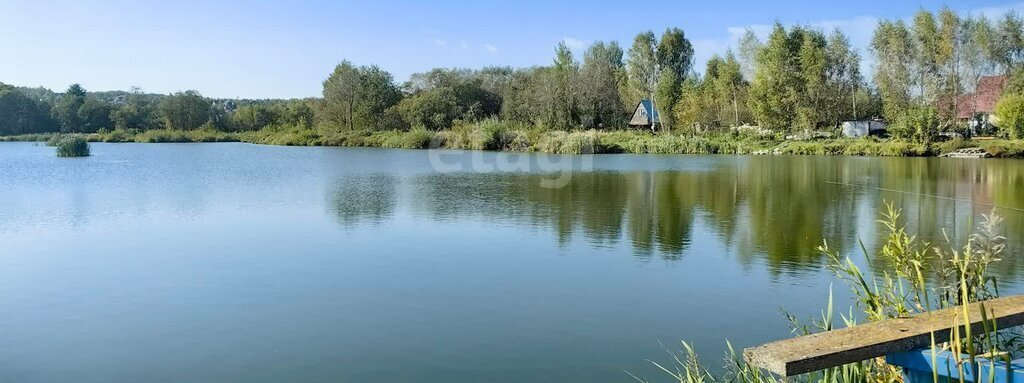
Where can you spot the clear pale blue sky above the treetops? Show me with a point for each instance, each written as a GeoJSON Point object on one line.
{"type": "Point", "coordinates": [259, 50]}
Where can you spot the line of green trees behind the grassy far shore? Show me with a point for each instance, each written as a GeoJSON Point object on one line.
{"type": "Point", "coordinates": [800, 78]}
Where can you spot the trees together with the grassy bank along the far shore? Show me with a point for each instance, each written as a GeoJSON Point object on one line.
{"type": "Point", "coordinates": [787, 95]}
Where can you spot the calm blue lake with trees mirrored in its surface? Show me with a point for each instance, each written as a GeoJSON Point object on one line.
{"type": "Point", "coordinates": [222, 263]}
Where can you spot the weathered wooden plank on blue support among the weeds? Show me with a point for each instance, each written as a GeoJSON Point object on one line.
{"type": "Point", "coordinates": [838, 348]}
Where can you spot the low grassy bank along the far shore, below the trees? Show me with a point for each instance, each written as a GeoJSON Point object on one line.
{"type": "Point", "coordinates": [497, 136]}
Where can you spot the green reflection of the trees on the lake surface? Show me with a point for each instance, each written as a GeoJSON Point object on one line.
{"type": "Point", "coordinates": [771, 210]}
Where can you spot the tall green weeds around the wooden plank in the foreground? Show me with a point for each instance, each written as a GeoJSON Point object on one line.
{"type": "Point", "coordinates": [915, 278]}
